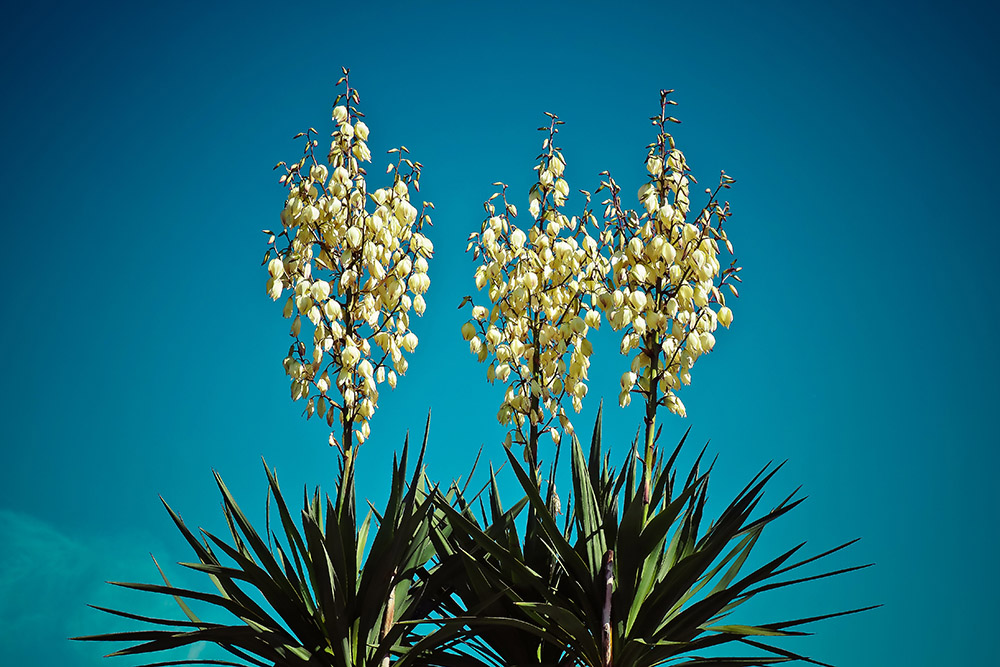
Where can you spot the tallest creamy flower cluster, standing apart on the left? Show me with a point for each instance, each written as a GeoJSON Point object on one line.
{"type": "Point", "coordinates": [354, 274]}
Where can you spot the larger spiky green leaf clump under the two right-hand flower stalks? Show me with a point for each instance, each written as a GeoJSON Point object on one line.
{"type": "Point", "coordinates": [615, 587]}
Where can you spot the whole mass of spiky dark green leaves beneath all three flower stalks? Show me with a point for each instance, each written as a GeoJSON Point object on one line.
{"type": "Point", "coordinates": [506, 587]}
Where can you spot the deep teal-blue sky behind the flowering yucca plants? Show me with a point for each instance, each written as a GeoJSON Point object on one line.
{"type": "Point", "coordinates": [140, 351]}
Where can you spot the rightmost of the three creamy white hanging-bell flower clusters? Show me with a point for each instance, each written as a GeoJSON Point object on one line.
{"type": "Point", "coordinates": [665, 274]}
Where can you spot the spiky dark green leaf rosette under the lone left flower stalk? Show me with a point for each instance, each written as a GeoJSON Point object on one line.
{"type": "Point", "coordinates": [331, 603]}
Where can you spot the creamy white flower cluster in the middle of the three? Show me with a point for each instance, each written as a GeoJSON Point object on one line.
{"type": "Point", "coordinates": [536, 330]}
